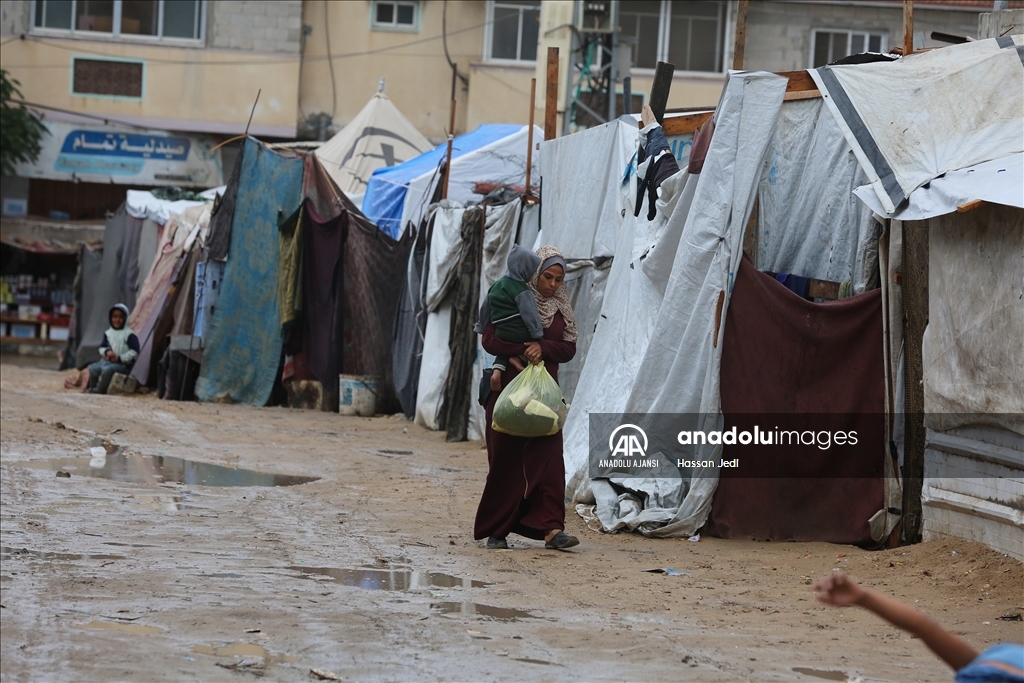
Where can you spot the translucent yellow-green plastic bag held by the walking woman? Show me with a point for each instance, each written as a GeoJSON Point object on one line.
{"type": "Point", "coordinates": [531, 406]}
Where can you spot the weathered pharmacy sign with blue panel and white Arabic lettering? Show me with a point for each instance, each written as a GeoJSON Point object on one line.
{"type": "Point", "coordinates": [125, 156]}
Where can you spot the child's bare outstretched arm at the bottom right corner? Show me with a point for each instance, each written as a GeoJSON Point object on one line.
{"type": "Point", "coordinates": [838, 589]}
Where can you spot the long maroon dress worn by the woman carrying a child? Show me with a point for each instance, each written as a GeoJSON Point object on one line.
{"type": "Point", "coordinates": [526, 489]}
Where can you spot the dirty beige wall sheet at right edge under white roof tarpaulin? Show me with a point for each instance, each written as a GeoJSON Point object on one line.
{"type": "Point", "coordinates": [973, 355]}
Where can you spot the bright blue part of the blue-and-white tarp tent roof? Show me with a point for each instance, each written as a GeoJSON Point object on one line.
{"type": "Point", "coordinates": [386, 198]}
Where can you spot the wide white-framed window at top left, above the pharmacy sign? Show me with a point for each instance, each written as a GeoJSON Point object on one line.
{"type": "Point", "coordinates": [154, 19]}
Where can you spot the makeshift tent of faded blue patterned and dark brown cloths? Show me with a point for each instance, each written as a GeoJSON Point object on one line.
{"type": "Point", "coordinates": [310, 288]}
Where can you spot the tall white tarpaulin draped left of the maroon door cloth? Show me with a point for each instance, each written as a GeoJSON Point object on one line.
{"type": "Point", "coordinates": [655, 340]}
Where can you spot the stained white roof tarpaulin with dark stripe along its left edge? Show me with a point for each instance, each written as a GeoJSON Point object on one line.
{"type": "Point", "coordinates": [900, 117]}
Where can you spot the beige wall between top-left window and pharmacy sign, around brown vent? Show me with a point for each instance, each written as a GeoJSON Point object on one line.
{"type": "Point", "coordinates": [198, 97]}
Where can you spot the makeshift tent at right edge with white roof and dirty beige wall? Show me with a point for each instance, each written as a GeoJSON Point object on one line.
{"type": "Point", "coordinates": [937, 177]}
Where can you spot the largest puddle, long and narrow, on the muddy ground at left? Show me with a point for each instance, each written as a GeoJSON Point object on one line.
{"type": "Point", "coordinates": [165, 469]}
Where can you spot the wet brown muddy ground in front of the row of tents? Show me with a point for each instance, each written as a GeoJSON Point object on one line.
{"type": "Point", "coordinates": [371, 572]}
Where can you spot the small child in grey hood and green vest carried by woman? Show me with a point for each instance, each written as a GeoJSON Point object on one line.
{"type": "Point", "coordinates": [511, 307]}
